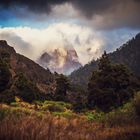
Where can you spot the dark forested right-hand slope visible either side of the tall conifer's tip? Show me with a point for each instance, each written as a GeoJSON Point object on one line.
{"type": "Point", "coordinates": [128, 54]}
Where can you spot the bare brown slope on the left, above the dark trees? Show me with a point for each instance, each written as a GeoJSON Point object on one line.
{"type": "Point", "coordinates": [43, 78]}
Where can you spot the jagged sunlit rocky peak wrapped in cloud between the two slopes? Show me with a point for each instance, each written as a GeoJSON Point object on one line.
{"type": "Point", "coordinates": [61, 60]}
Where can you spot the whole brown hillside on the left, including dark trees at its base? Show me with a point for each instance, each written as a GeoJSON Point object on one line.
{"type": "Point", "coordinates": [22, 76]}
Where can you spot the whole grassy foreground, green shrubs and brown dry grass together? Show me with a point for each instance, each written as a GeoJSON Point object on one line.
{"type": "Point", "coordinates": [57, 121]}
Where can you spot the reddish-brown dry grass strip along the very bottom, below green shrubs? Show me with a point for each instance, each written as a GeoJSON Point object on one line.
{"type": "Point", "coordinates": [58, 128]}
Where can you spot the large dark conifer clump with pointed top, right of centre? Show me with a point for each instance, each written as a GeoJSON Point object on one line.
{"type": "Point", "coordinates": [110, 86]}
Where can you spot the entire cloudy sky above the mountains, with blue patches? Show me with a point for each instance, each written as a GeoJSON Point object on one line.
{"type": "Point", "coordinates": [89, 26]}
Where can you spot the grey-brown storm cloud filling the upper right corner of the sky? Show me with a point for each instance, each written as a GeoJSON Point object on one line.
{"type": "Point", "coordinates": [110, 14]}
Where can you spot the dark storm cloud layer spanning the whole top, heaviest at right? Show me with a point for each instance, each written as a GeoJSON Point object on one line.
{"type": "Point", "coordinates": [106, 14]}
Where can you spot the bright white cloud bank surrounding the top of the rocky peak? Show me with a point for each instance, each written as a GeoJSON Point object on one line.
{"type": "Point", "coordinates": [33, 42]}
